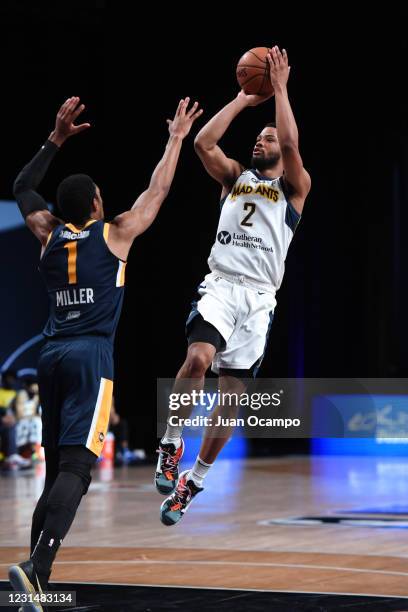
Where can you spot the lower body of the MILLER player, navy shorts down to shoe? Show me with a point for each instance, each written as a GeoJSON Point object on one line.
{"type": "Point", "coordinates": [76, 421]}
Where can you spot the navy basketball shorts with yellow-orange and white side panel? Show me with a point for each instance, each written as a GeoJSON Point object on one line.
{"type": "Point", "coordinates": [75, 378]}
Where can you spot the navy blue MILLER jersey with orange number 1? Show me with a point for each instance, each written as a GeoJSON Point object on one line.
{"type": "Point", "coordinates": [84, 279]}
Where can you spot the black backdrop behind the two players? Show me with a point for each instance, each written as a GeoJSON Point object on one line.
{"type": "Point", "coordinates": [342, 307]}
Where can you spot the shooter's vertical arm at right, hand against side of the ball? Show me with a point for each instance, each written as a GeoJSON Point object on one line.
{"type": "Point", "coordinates": [296, 177]}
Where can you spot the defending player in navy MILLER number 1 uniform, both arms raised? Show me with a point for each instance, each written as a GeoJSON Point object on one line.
{"type": "Point", "coordinates": [83, 261]}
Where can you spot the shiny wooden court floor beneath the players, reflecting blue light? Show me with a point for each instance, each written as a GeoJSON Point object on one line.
{"type": "Point", "coordinates": [225, 539]}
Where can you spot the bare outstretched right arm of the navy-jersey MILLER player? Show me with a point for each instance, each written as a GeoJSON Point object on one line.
{"type": "Point", "coordinates": [126, 226]}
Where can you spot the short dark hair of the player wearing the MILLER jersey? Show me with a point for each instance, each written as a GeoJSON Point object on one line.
{"type": "Point", "coordinates": [75, 195]}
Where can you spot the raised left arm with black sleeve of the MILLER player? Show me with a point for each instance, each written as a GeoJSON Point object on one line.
{"type": "Point", "coordinates": [32, 205]}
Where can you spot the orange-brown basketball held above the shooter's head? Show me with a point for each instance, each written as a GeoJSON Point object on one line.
{"type": "Point", "coordinates": [253, 72]}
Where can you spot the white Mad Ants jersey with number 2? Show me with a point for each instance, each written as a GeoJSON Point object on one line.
{"type": "Point", "coordinates": [256, 226]}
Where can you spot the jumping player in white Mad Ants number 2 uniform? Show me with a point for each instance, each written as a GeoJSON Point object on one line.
{"type": "Point", "coordinates": [229, 325]}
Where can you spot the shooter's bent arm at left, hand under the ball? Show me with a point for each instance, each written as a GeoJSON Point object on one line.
{"type": "Point", "coordinates": [222, 168]}
